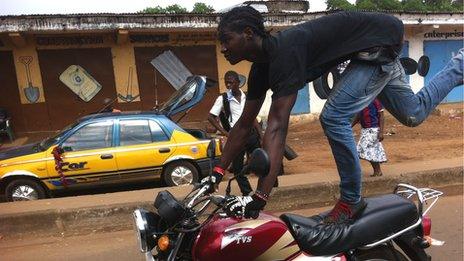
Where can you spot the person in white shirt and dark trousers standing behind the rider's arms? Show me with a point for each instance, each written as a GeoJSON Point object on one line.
{"type": "Point", "coordinates": [224, 114]}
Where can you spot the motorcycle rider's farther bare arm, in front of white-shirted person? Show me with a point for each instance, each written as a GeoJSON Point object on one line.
{"type": "Point", "coordinates": [238, 135]}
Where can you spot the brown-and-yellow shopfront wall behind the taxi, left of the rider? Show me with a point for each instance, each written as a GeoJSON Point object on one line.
{"type": "Point", "coordinates": [114, 60]}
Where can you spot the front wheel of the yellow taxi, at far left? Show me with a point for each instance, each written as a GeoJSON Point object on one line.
{"type": "Point", "coordinates": [24, 190]}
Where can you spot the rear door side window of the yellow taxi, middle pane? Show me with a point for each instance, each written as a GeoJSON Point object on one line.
{"type": "Point", "coordinates": [132, 132]}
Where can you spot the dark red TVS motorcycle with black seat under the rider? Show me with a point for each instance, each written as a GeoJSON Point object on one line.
{"type": "Point", "coordinates": [198, 228]}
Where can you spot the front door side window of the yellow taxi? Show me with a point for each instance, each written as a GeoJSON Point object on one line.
{"type": "Point", "coordinates": [92, 136]}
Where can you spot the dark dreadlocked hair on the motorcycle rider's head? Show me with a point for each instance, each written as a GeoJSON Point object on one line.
{"type": "Point", "coordinates": [241, 17]}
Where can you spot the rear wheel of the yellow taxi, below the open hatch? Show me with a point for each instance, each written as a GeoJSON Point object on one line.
{"type": "Point", "coordinates": [180, 173]}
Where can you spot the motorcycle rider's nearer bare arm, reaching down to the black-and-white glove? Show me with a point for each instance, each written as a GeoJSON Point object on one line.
{"type": "Point", "coordinates": [274, 138]}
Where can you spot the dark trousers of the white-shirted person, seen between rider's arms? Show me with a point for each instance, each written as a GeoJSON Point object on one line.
{"type": "Point", "coordinates": [237, 165]}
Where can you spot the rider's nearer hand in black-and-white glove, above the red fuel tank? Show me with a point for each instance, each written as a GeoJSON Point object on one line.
{"type": "Point", "coordinates": [245, 206]}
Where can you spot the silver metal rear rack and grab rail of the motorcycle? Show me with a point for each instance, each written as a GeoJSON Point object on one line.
{"type": "Point", "coordinates": [424, 195]}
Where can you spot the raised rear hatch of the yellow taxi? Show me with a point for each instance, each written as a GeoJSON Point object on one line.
{"type": "Point", "coordinates": [189, 95]}
